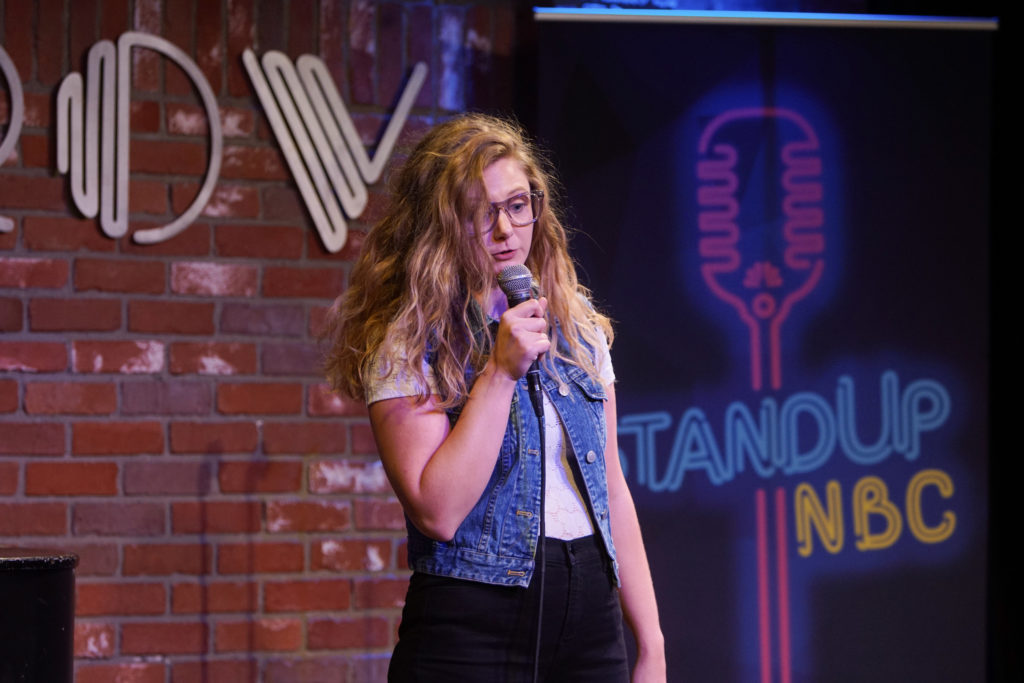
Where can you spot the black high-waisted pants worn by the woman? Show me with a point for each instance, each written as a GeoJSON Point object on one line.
{"type": "Point", "coordinates": [468, 632]}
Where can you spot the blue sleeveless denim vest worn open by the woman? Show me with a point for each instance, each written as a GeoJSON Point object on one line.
{"type": "Point", "coordinates": [497, 542]}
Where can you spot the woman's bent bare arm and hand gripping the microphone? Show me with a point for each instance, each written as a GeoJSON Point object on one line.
{"type": "Point", "coordinates": [439, 473]}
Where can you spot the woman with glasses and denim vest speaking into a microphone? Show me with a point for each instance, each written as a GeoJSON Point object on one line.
{"type": "Point", "coordinates": [425, 336]}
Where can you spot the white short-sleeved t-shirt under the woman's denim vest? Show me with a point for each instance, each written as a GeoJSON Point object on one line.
{"type": "Point", "coordinates": [566, 514]}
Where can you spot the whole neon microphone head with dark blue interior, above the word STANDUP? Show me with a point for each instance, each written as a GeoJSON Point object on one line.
{"type": "Point", "coordinates": [760, 264]}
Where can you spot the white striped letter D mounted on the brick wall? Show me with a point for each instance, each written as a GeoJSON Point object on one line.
{"type": "Point", "coordinates": [100, 177]}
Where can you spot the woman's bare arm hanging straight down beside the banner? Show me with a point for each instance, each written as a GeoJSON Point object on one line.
{"type": "Point", "coordinates": [637, 592]}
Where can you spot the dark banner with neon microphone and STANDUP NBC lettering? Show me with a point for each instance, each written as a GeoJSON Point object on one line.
{"type": "Point", "coordinates": [790, 227]}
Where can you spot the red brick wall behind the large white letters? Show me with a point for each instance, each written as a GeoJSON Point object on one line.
{"type": "Point", "coordinates": [161, 411]}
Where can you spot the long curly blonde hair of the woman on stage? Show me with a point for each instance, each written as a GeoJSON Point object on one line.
{"type": "Point", "coordinates": [414, 288]}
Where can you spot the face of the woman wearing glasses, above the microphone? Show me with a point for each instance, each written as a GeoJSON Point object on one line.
{"type": "Point", "coordinates": [506, 244]}
